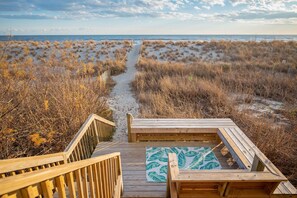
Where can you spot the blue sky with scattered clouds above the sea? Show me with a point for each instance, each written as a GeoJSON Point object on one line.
{"type": "Point", "coordinates": [80, 17]}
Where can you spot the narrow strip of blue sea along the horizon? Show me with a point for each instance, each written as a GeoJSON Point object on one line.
{"type": "Point", "coordinates": [151, 37]}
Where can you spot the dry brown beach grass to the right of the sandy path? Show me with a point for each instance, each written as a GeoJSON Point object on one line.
{"type": "Point", "coordinates": [211, 88]}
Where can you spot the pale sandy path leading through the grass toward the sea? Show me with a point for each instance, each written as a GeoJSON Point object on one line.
{"type": "Point", "coordinates": [121, 99]}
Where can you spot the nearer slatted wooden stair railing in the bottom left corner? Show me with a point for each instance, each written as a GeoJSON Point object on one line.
{"type": "Point", "coordinates": [94, 177]}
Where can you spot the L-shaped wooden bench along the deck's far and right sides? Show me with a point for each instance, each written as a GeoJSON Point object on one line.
{"type": "Point", "coordinates": [246, 154]}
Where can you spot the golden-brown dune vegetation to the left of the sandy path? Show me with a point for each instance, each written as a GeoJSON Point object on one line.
{"type": "Point", "coordinates": [48, 89]}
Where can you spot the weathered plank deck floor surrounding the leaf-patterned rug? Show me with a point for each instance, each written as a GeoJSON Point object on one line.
{"type": "Point", "coordinates": [133, 164]}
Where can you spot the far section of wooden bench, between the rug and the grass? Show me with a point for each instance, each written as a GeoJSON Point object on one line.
{"type": "Point", "coordinates": [175, 129]}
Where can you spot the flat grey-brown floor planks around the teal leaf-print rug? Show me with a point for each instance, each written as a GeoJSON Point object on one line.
{"type": "Point", "coordinates": [133, 165]}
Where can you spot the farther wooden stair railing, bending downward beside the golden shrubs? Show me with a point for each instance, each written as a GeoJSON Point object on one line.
{"type": "Point", "coordinates": [94, 130]}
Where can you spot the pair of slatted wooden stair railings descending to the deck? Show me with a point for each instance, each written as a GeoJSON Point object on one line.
{"type": "Point", "coordinates": [72, 173]}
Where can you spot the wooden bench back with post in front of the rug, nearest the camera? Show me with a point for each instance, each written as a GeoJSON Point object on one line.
{"type": "Point", "coordinates": [219, 183]}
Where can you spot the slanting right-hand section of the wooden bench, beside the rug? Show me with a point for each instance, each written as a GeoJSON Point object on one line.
{"type": "Point", "coordinates": [248, 156]}
